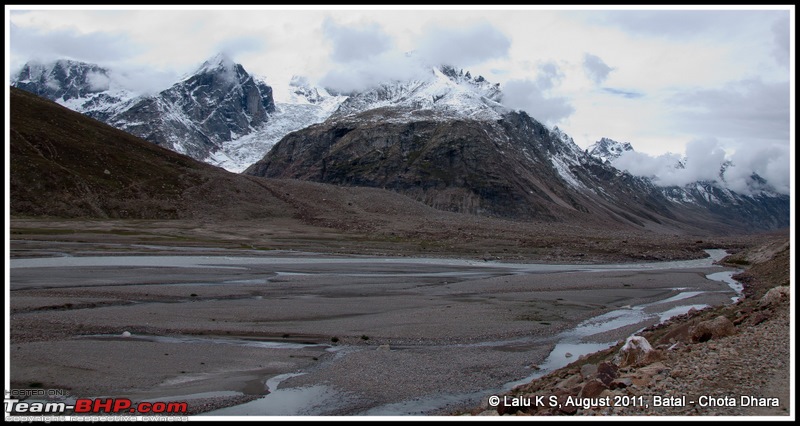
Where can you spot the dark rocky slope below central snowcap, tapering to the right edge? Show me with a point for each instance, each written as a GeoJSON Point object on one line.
{"type": "Point", "coordinates": [513, 167]}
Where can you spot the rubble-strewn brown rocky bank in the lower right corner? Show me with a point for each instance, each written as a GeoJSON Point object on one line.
{"type": "Point", "coordinates": [732, 360]}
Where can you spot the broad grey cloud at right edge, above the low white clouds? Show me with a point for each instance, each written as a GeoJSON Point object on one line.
{"type": "Point", "coordinates": [747, 109]}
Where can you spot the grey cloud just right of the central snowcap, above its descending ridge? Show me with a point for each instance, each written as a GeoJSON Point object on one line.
{"type": "Point", "coordinates": [530, 96]}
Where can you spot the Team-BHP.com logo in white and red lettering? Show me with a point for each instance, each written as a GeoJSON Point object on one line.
{"type": "Point", "coordinates": [14, 407]}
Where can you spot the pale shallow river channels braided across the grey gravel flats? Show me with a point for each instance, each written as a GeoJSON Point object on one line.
{"type": "Point", "coordinates": [320, 399]}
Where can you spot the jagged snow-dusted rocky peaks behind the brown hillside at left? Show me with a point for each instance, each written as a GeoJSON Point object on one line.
{"type": "Point", "coordinates": [218, 103]}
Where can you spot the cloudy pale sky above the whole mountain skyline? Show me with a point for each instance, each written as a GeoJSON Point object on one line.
{"type": "Point", "coordinates": [715, 82]}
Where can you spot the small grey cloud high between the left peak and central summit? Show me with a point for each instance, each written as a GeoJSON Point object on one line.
{"type": "Point", "coordinates": [352, 43]}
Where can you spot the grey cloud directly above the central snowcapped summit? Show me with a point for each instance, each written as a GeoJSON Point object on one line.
{"type": "Point", "coordinates": [462, 46]}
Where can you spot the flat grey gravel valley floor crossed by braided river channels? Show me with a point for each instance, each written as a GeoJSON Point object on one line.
{"type": "Point", "coordinates": [216, 319]}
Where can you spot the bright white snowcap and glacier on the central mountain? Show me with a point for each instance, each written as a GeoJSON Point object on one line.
{"type": "Point", "coordinates": [447, 94]}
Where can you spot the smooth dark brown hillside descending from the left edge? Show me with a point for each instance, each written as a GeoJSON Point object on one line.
{"type": "Point", "coordinates": [65, 164]}
